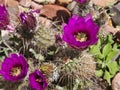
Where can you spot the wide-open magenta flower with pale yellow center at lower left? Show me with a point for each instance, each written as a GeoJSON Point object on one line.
{"type": "Point", "coordinates": [14, 67]}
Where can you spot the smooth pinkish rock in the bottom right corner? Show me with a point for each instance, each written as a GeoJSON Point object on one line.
{"type": "Point", "coordinates": [116, 82]}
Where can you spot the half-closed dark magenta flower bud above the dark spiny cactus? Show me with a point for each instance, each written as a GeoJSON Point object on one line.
{"type": "Point", "coordinates": [28, 20]}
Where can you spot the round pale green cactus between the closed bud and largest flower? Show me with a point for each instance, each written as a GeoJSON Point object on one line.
{"type": "Point", "coordinates": [44, 38]}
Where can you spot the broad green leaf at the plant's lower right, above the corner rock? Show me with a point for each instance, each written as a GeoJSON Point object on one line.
{"type": "Point", "coordinates": [113, 67]}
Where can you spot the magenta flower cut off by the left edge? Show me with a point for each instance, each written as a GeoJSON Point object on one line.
{"type": "Point", "coordinates": [4, 17]}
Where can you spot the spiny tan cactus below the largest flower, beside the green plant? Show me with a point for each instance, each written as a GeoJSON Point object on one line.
{"type": "Point", "coordinates": [81, 68]}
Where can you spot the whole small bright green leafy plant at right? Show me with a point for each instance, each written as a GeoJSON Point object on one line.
{"type": "Point", "coordinates": [105, 51]}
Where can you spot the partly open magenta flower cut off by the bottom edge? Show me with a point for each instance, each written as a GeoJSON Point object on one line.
{"type": "Point", "coordinates": [37, 80]}
